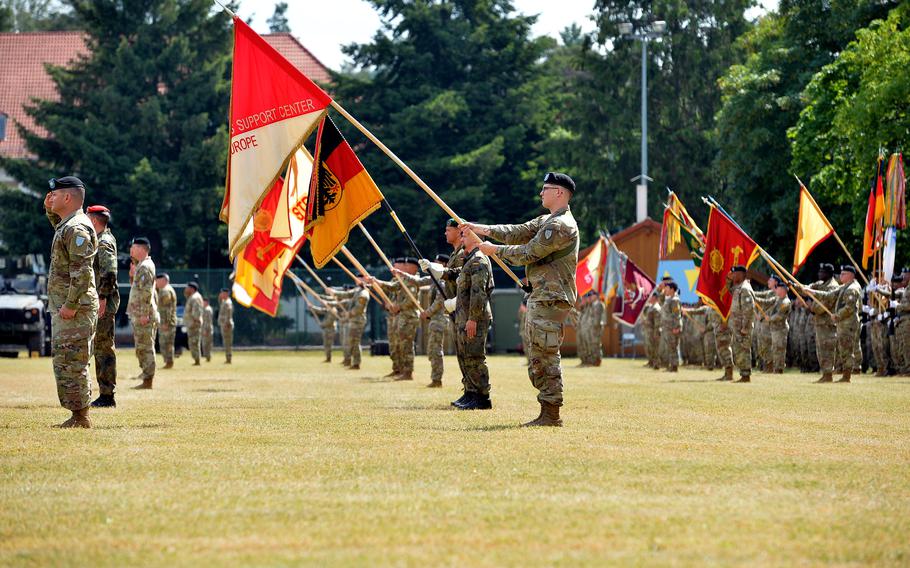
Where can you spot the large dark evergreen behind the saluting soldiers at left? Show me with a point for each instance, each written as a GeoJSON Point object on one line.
{"type": "Point", "coordinates": [141, 120]}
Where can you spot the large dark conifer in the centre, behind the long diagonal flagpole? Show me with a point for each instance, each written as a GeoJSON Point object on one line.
{"type": "Point", "coordinates": [452, 87]}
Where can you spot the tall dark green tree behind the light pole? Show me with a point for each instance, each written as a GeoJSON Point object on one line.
{"type": "Point", "coordinates": [599, 127]}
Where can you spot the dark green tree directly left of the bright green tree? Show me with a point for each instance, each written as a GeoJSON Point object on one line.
{"type": "Point", "coordinates": [762, 99]}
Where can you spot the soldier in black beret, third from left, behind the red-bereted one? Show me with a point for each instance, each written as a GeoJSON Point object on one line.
{"type": "Point", "coordinates": [142, 308]}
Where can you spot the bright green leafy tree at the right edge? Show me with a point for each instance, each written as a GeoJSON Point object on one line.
{"type": "Point", "coordinates": [854, 107]}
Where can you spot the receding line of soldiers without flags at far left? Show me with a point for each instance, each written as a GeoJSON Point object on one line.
{"type": "Point", "coordinates": [83, 299]}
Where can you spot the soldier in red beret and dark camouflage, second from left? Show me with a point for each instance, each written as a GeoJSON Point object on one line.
{"type": "Point", "coordinates": [105, 267]}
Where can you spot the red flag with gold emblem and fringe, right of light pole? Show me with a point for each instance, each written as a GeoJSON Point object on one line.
{"type": "Point", "coordinates": [725, 247]}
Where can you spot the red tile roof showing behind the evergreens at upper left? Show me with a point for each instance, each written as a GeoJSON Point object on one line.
{"type": "Point", "coordinates": [22, 74]}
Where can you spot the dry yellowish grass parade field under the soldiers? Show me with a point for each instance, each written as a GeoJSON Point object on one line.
{"type": "Point", "coordinates": [280, 459]}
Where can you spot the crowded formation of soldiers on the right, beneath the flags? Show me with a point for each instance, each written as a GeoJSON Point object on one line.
{"type": "Point", "coordinates": [846, 329]}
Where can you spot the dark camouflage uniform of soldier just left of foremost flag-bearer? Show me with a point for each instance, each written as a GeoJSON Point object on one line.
{"type": "Point", "coordinates": [473, 288]}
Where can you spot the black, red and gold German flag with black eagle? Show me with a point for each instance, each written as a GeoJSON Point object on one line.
{"type": "Point", "coordinates": [342, 194]}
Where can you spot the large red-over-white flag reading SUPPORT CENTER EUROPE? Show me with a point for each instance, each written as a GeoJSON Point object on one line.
{"type": "Point", "coordinates": [274, 107]}
